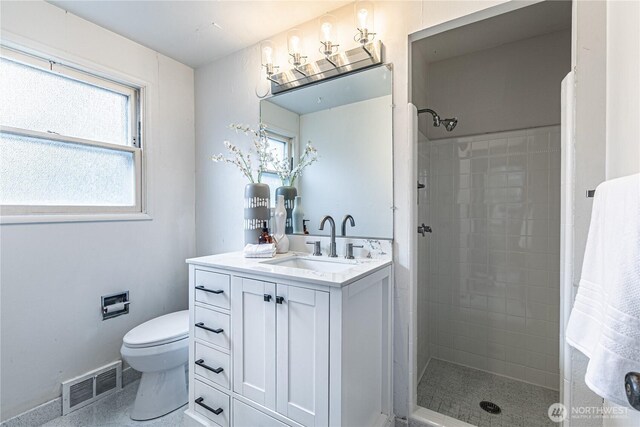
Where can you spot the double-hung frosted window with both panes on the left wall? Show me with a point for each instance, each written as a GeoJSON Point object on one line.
{"type": "Point", "coordinates": [69, 140]}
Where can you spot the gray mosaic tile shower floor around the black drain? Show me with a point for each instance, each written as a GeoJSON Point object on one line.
{"type": "Point", "coordinates": [457, 391]}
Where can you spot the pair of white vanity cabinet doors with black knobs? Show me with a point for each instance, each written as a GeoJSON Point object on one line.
{"type": "Point", "coordinates": [281, 348]}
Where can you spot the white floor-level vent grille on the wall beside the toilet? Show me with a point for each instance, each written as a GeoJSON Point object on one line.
{"type": "Point", "coordinates": [88, 388]}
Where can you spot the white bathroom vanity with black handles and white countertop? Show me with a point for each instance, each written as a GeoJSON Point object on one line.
{"type": "Point", "coordinates": [294, 340]}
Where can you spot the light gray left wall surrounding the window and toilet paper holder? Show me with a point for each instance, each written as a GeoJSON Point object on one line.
{"type": "Point", "coordinates": [52, 275]}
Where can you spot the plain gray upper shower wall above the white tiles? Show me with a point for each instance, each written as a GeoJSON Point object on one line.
{"type": "Point", "coordinates": [513, 86]}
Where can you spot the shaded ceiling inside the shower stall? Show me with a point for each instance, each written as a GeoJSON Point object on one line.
{"type": "Point", "coordinates": [531, 21]}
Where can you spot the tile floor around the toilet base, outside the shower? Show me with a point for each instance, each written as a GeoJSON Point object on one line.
{"type": "Point", "coordinates": [113, 411]}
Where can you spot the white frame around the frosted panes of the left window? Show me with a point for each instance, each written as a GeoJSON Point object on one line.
{"type": "Point", "coordinates": [135, 145]}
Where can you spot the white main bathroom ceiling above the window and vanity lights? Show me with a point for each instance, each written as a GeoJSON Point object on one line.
{"type": "Point", "coordinates": [197, 32]}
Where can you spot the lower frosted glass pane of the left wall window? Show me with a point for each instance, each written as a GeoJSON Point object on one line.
{"type": "Point", "coordinates": [35, 171]}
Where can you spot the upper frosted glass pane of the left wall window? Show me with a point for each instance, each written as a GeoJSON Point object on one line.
{"type": "Point", "coordinates": [46, 101]}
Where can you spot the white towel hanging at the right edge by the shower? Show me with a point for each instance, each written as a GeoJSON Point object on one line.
{"type": "Point", "coordinates": [605, 320]}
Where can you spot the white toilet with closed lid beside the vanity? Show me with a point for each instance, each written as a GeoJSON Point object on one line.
{"type": "Point", "coordinates": [159, 348]}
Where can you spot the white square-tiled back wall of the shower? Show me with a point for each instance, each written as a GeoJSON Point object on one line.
{"type": "Point", "coordinates": [493, 258]}
